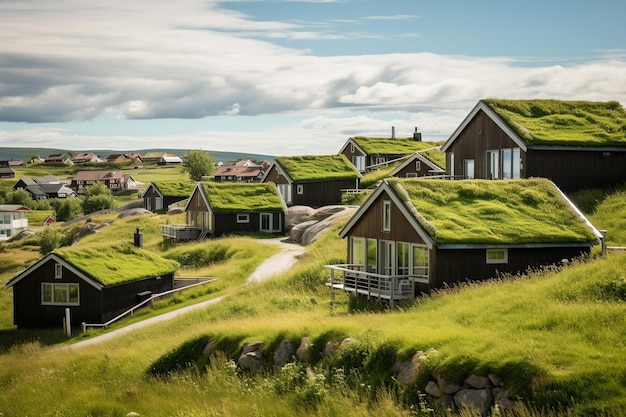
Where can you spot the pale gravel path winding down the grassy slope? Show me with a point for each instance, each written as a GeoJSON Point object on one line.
{"type": "Point", "coordinates": [274, 265]}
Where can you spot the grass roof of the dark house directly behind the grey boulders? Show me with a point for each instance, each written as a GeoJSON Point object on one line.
{"type": "Point", "coordinates": [318, 167]}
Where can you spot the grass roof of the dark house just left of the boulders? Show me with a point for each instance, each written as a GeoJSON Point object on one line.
{"type": "Point", "coordinates": [242, 197]}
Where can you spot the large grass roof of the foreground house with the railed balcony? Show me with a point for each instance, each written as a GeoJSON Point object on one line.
{"type": "Point", "coordinates": [493, 212]}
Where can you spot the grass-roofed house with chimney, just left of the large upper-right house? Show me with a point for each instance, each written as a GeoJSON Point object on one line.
{"type": "Point", "coordinates": [368, 154]}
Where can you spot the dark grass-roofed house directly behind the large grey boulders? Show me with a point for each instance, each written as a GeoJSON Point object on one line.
{"type": "Point", "coordinates": [313, 180]}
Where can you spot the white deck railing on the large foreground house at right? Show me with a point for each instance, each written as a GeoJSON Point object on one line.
{"type": "Point", "coordinates": [353, 278]}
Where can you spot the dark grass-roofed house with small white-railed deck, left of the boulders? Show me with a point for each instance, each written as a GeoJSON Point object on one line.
{"type": "Point", "coordinates": [215, 209]}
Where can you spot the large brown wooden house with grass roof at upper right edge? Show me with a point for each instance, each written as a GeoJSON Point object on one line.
{"type": "Point", "coordinates": [576, 144]}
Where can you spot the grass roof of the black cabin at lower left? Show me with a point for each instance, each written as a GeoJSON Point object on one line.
{"type": "Point", "coordinates": [116, 264]}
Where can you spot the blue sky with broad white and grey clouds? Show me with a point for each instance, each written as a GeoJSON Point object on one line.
{"type": "Point", "coordinates": [289, 77]}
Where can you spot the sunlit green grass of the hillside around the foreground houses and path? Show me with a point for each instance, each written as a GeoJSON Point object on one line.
{"type": "Point", "coordinates": [556, 337]}
